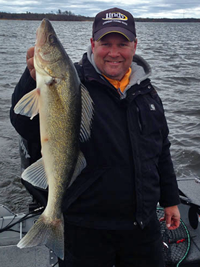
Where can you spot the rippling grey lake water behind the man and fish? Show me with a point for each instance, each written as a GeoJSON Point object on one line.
{"type": "Point", "coordinates": [172, 50]}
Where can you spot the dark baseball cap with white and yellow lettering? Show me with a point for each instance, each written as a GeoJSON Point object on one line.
{"type": "Point", "coordinates": [114, 20]}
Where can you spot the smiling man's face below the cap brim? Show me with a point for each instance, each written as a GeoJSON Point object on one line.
{"type": "Point", "coordinates": [113, 55]}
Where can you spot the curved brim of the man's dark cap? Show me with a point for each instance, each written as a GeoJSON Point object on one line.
{"type": "Point", "coordinates": [99, 34]}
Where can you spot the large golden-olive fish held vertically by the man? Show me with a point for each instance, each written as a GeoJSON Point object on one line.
{"type": "Point", "coordinates": [65, 111]}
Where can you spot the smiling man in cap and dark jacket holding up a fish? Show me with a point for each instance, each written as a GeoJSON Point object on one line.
{"type": "Point", "coordinates": [110, 210]}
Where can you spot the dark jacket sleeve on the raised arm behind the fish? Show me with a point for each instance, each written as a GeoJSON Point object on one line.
{"type": "Point", "coordinates": [28, 129]}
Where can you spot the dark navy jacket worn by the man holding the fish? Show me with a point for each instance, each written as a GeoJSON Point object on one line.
{"type": "Point", "coordinates": [129, 168]}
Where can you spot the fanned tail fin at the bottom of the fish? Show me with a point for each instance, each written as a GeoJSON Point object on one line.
{"type": "Point", "coordinates": [46, 232]}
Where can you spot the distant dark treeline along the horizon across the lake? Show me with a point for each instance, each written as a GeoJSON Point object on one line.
{"type": "Point", "coordinates": [69, 16]}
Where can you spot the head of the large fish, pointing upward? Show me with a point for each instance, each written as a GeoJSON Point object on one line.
{"type": "Point", "coordinates": [49, 53]}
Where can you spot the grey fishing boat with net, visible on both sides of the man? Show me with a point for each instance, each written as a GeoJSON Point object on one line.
{"type": "Point", "coordinates": [181, 247]}
